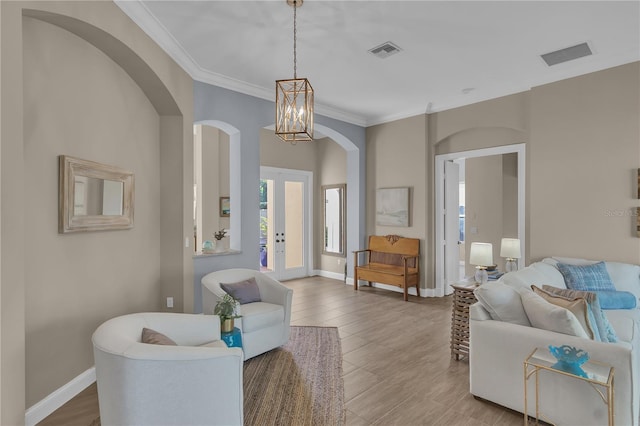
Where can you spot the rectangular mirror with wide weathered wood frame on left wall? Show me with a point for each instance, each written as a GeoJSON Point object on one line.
{"type": "Point", "coordinates": [93, 196]}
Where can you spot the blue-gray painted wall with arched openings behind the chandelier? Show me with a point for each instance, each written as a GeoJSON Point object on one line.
{"type": "Point", "coordinates": [249, 115]}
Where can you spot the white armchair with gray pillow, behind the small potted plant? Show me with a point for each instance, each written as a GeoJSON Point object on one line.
{"type": "Point", "coordinates": [265, 325]}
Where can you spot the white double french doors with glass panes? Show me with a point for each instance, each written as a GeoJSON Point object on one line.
{"type": "Point", "coordinates": [284, 222]}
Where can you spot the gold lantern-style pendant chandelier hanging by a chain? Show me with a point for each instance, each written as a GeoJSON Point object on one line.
{"type": "Point", "coordinates": [294, 100]}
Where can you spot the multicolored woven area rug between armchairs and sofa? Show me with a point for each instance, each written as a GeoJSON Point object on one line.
{"type": "Point", "coordinates": [299, 383]}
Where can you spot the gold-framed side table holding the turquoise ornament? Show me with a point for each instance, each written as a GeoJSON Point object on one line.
{"type": "Point", "coordinates": [599, 375]}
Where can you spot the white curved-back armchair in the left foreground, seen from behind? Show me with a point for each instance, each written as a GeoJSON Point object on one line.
{"type": "Point", "coordinates": [147, 384]}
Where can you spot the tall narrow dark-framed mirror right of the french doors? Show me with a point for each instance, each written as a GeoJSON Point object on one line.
{"type": "Point", "coordinates": [333, 224]}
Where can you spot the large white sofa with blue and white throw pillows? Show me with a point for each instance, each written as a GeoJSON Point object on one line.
{"type": "Point", "coordinates": [499, 347]}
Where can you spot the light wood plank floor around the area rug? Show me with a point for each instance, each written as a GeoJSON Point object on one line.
{"type": "Point", "coordinates": [397, 364]}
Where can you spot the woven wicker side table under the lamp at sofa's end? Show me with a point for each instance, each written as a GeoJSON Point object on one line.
{"type": "Point", "coordinates": [463, 297]}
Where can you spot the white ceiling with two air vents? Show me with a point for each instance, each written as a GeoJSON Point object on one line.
{"type": "Point", "coordinates": [491, 47]}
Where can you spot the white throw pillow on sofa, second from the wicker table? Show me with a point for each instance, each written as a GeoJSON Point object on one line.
{"type": "Point", "coordinates": [547, 316]}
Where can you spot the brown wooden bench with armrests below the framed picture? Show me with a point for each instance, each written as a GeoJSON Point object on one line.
{"type": "Point", "coordinates": [392, 260]}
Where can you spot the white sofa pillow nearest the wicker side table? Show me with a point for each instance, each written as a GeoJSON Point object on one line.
{"type": "Point", "coordinates": [502, 302]}
